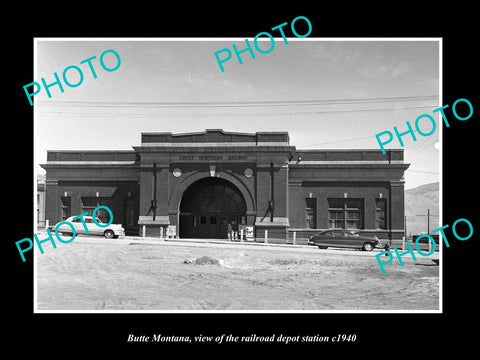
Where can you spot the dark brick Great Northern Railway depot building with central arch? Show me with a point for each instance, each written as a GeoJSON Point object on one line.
{"type": "Point", "coordinates": [194, 184]}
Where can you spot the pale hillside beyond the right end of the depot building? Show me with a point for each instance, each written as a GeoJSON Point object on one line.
{"type": "Point", "coordinates": [417, 202]}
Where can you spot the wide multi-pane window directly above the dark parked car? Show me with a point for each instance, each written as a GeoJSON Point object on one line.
{"type": "Point", "coordinates": [345, 213]}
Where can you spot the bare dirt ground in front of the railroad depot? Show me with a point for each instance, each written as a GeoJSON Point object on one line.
{"type": "Point", "coordinates": [125, 276]}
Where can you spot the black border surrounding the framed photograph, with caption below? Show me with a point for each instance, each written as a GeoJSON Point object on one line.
{"type": "Point", "coordinates": [376, 333]}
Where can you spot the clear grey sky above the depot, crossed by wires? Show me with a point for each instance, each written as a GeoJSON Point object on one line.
{"type": "Point", "coordinates": [327, 93]}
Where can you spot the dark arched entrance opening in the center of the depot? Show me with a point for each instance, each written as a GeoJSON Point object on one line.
{"type": "Point", "coordinates": [207, 206]}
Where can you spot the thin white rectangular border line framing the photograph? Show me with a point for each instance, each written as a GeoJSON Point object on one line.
{"type": "Point", "coordinates": [386, 39]}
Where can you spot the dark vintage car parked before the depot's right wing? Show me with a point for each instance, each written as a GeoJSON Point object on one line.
{"type": "Point", "coordinates": [343, 238]}
